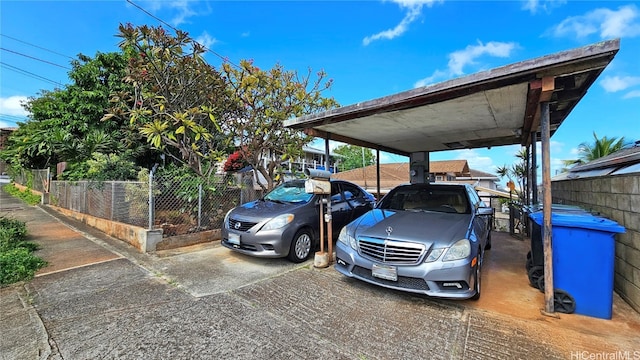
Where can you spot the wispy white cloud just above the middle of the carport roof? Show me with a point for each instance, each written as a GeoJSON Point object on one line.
{"type": "Point", "coordinates": [468, 56]}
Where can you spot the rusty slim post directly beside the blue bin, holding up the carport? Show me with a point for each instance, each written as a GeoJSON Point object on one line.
{"type": "Point", "coordinates": [546, 207]}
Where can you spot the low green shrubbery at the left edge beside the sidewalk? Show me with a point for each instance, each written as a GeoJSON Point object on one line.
{"type": "Point", "coordinates": [17, 262]}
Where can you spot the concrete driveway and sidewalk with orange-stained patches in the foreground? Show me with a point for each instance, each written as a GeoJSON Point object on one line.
{"type": "Point", "coordinates": [100, 298]}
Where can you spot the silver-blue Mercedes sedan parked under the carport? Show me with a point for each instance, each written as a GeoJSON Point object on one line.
{"type": "Point", "coordinates": [420, 238]}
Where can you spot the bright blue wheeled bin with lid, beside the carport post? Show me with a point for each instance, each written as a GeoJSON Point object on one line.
{"type": "Point", "coordinates": [583, 248]}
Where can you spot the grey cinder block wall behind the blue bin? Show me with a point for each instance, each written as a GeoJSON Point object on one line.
{"type": "Point", "coordinates": [617, 198]}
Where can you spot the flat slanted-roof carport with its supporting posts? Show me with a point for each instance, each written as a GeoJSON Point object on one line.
{"type": "Point", "coordinates": [521, 103]}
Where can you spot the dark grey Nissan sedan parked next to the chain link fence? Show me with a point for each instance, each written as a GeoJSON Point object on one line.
{"type": "Point", "coordinates": [285, 222]}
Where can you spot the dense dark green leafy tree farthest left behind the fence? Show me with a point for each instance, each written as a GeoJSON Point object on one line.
{"type": "Point", "coordinates": [64, 124]}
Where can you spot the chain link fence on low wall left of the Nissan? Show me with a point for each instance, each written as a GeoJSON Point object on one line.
{"type": "Point", "coordinates": [179, 204]}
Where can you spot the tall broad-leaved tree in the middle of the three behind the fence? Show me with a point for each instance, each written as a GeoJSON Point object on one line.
{"type": "Point", "coordinates": [176, 99]}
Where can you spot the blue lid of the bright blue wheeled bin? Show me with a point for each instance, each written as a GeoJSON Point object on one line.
{"type": "Point", "coordinates": [579, 220]}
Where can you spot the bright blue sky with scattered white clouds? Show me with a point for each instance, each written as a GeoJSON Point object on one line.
{"type": "Point", "coordinates": [370, 49]}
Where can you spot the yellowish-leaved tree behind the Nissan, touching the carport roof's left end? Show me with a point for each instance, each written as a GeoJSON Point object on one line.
{"type": "Point", "coordinates": [265, 99]}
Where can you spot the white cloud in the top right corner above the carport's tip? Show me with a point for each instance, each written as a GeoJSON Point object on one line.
{"type": "Point", "coordinates": [606, 23]}
